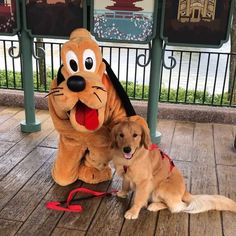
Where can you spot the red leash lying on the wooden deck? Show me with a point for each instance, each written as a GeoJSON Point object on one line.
{"type": "Point", "coordinates": [68, 206]}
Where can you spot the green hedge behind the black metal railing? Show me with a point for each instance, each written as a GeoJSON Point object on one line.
{"type": "Point", "coordinates": [134, 91]}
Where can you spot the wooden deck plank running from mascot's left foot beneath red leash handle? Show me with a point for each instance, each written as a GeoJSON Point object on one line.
{"type": "Point", "coordinates": [42, 221]}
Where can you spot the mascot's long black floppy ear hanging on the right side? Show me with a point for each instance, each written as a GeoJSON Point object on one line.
{"type": "Point", "coordinates": [120, 90]}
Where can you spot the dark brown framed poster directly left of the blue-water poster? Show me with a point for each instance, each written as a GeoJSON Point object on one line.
{"type": "Point", "coordinates": [53, 18]}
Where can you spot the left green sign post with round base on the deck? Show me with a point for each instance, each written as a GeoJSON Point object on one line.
{"type": "Point", "coordinates": [30, 124]}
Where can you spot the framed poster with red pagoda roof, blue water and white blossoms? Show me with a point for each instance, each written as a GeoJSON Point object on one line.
{"type": "Point", "coordinates": [132, 21]}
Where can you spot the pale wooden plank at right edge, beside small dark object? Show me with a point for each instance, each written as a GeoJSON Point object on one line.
{"type": "Point", "coordinates": [223, 140]}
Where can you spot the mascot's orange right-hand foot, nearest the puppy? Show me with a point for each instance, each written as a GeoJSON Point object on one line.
{"type": "Point", "coordinates": [92, 175]}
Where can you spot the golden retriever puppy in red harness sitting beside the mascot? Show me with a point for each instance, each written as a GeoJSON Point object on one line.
{"type": "Point", "coordinates": [152, 174]}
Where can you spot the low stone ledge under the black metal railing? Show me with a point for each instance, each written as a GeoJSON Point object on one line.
{"type": "Point", "coordinates": [192, 113]}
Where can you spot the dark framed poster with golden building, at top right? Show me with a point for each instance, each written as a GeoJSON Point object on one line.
{"type": "Point", "coordinates": [203, 23]}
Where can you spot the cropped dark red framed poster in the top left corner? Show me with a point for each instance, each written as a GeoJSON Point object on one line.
{"type": "Point", "coordinates": [9, 19]}
